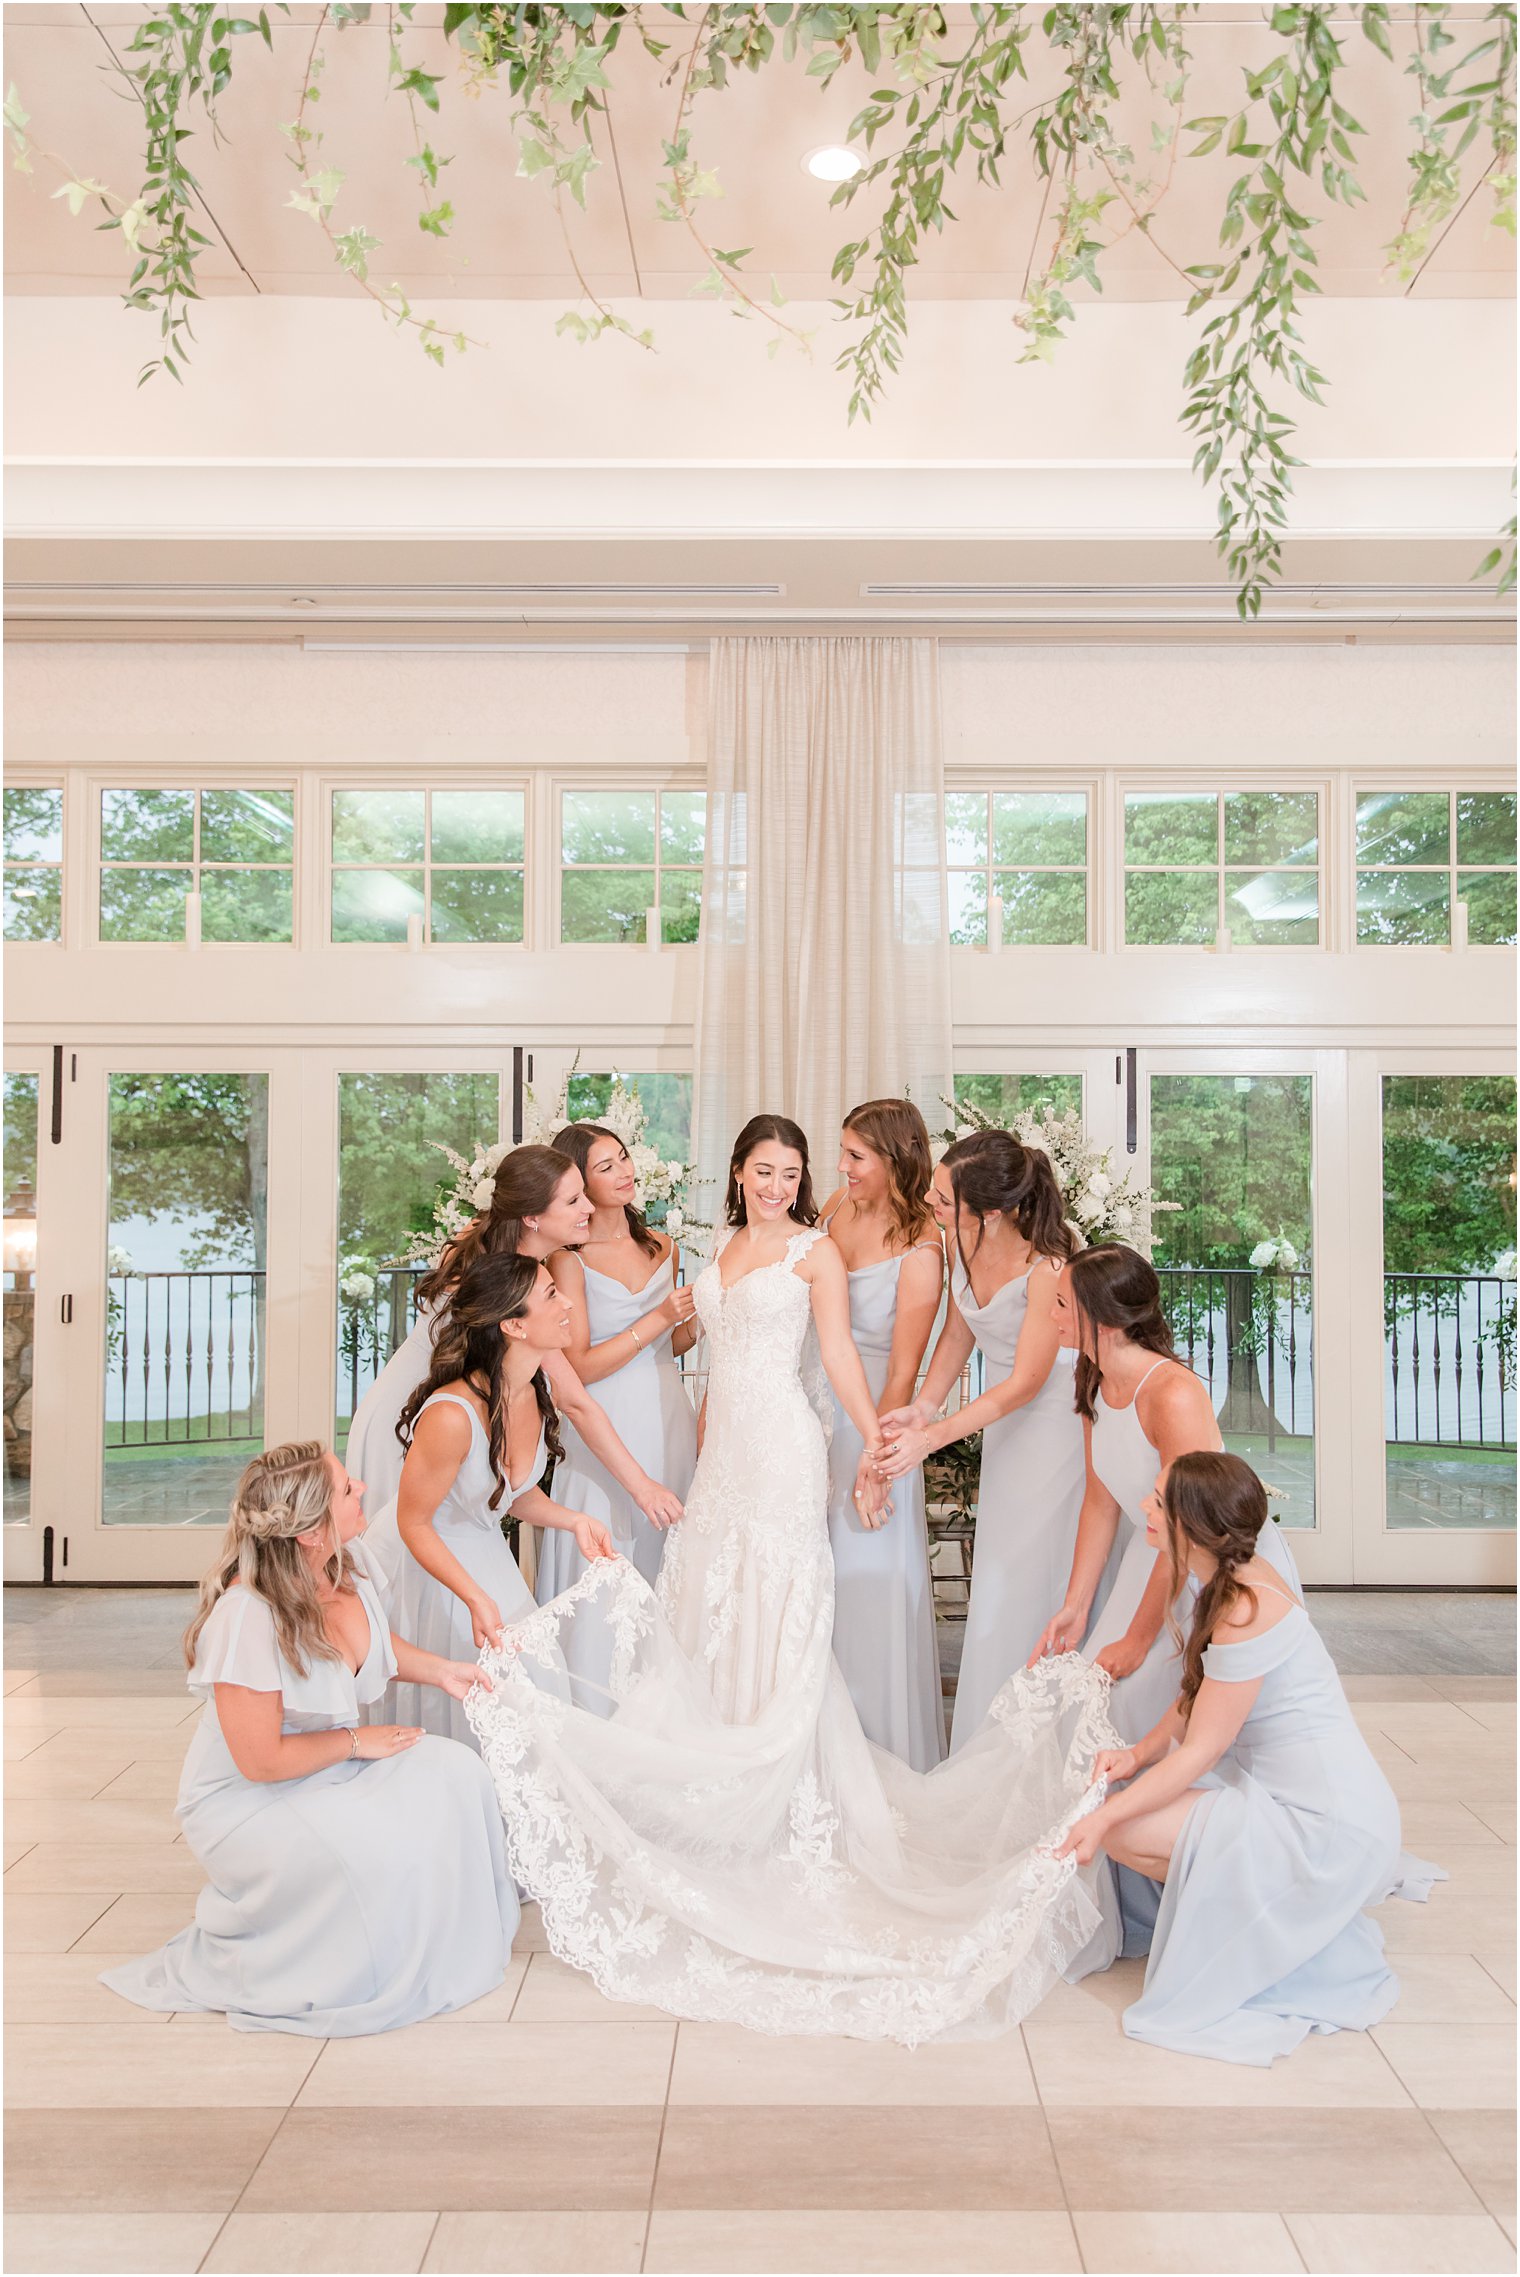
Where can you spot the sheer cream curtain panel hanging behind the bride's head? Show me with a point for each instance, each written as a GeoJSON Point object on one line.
{"type": "Point", "coordinates": [825, 967]}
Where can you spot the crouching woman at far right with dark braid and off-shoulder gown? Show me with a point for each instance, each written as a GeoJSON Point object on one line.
{"type": "Point", "coordinates": [1255, 1802]}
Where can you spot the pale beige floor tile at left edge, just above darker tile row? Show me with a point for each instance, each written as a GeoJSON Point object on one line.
{"type": "Point", "coordinates": [126, 2069]}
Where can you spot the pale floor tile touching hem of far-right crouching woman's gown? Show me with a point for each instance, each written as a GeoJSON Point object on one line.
{"type": "Point", "coordinates": [1339, 2071]}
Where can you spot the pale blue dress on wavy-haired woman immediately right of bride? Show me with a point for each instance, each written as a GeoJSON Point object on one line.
{"type": "Point", "coordinates": [884, 1618]}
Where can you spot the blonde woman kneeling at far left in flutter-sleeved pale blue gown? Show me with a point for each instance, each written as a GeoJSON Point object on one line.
{"type": "Point", "coordinates": [358, 1875]}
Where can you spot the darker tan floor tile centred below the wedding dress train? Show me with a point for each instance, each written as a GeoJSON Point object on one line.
{"type": "Point", "coordinates": [879, 2160]}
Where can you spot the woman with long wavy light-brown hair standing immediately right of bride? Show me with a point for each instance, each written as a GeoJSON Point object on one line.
{"type": "Point", "coordinates": [884, 1616]}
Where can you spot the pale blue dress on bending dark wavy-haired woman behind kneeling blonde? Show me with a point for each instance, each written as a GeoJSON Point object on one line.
{"type": "Point", "coordinates": [420, 1606]}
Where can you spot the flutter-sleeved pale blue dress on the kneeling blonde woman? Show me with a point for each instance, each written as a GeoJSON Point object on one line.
{"type": "Point", "coordinates": [347, 1902]}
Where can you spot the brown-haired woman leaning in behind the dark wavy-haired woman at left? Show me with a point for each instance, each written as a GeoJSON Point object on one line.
{"type": "Point", "coordinates": [538, 1208]}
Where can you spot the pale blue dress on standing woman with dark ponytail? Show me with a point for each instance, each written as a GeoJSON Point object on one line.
{"type": "Point", "coordinates": [1027, 1509]}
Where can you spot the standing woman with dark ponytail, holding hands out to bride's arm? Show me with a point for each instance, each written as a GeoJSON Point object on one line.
{"type": "Point", "coordinates": [1011, 1244]}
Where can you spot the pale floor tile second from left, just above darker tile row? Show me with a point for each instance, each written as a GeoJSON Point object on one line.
{"type": "Point", "coordinates": [497, 2064]}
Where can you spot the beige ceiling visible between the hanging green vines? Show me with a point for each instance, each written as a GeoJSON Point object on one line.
{"type": "Point", "coordinates": [509, 240]}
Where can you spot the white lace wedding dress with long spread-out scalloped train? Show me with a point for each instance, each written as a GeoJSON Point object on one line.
{"type": "Point", "coordinates": [727, 1843]}
